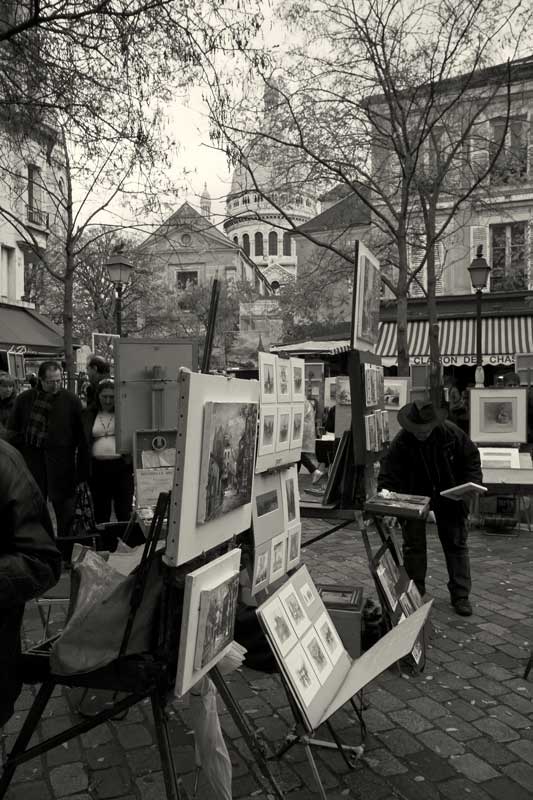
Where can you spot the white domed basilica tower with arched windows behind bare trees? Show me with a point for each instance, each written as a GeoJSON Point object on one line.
{"type": "Point", "coordinates": [253, 222]}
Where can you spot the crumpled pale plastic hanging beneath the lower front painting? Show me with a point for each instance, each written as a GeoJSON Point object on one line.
{"type": "Point", "coordinates": [211, 751]}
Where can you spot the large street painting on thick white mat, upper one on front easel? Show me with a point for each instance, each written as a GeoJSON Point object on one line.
{"type": "Point", "coordinates": [215, 452]}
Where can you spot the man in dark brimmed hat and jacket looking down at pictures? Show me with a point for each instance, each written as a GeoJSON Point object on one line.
{"type": "Point", "coordinates": [429, 455]}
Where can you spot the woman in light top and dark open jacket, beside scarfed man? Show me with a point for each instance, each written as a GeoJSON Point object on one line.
{"type": "Point", "coordinates": [110, 473]}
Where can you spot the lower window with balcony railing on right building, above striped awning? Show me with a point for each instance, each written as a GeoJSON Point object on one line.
{"type": "Point", "coordinates": [509, 257]}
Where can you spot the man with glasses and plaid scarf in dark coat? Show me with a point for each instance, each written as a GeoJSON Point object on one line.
{"type": "Point", "coordinates": [46, 427]}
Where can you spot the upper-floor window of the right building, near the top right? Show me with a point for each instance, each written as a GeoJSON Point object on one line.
{"type": "Point", "coordinates": [511, 163]}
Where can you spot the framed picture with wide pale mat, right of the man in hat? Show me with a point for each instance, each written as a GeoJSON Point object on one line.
{"type": "Point", "coordinates": [498, 415]}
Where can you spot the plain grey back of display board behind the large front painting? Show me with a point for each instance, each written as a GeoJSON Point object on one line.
{"type": "Point", "coordinates": [146, 373]}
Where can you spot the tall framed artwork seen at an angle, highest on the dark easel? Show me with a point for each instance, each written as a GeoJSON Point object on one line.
{"type": "Point", "coordinates": [366, 297]}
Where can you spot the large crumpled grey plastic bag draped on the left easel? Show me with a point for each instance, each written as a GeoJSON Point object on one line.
{"type": "Point", "coordinates": [98, 613]}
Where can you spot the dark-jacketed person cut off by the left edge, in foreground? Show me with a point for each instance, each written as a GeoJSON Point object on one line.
{"type": "Point", "coordinates": [29, 563]}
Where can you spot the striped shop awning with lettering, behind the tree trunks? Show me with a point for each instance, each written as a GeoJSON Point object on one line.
{"type": "Point", "coordinates": [501, 337]}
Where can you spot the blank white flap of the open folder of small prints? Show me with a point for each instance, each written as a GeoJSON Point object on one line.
{"type": "Point", "coordinates": [396, 644]}
